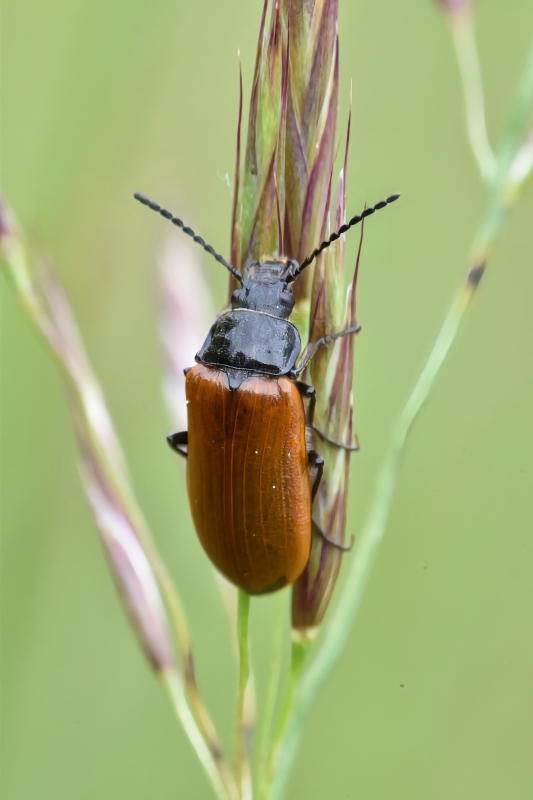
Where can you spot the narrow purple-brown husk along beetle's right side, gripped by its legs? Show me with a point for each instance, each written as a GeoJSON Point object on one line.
{"type": "Point", "coordinates": [331, 370]}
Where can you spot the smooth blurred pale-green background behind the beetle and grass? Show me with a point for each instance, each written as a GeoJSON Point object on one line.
{"type": "Point", "coordinates": [433, 699]}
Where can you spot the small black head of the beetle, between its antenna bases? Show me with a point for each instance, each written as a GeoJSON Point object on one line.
{"type": "Point", "coordinates": [265, 288]}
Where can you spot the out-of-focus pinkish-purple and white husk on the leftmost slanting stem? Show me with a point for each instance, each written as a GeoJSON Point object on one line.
{"type": "Point", "coordinates": [100, 454]}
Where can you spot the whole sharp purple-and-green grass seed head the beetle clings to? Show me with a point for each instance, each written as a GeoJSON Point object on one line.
{"type": "Point", "coordinates": [284, 205]}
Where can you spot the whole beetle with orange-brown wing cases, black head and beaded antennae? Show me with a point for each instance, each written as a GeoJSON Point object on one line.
{"type": "Point", "coordinates": [252, 470]}
